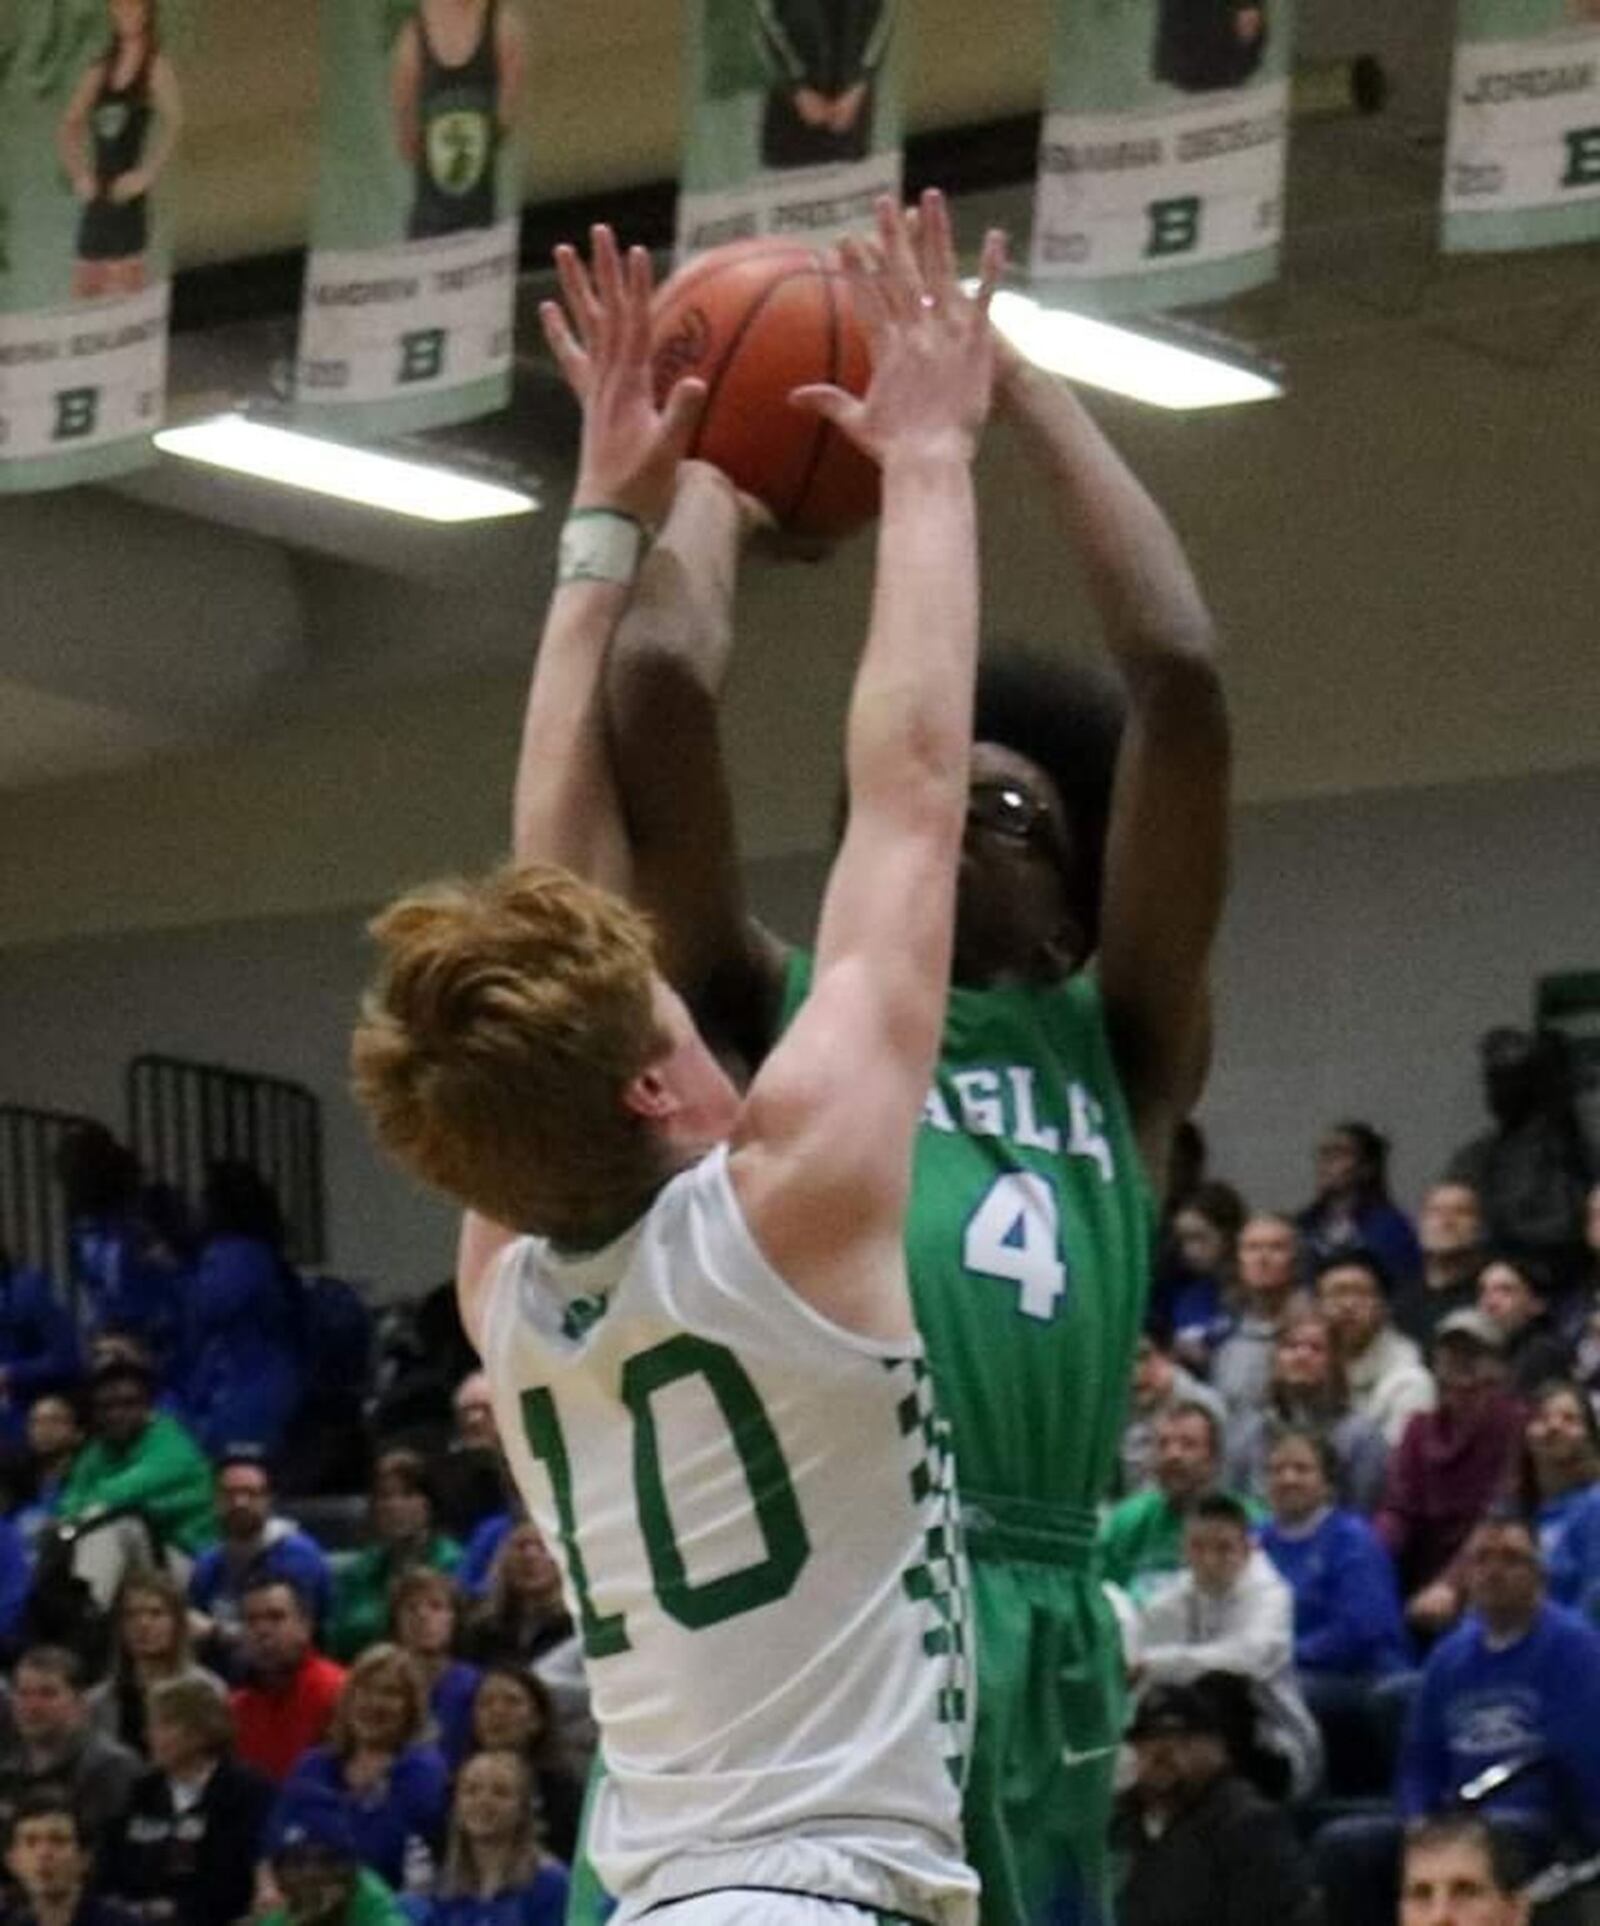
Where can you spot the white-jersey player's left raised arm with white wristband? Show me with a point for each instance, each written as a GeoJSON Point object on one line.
{"type": "Point", "coordinates": [565, 806]}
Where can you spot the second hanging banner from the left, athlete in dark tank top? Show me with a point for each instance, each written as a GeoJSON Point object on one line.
{"type": "Point", "coordinates": [411, 284]}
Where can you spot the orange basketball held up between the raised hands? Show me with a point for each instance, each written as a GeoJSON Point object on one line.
{"type": "Point", "coordinates": [758, 321]}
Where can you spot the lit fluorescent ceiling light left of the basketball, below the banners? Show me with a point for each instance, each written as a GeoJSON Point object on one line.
{"type": "Point", "coordinates": [338, 469]}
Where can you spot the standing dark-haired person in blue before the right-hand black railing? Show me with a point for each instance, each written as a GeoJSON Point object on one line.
{"type": "Point", "coordinates": [245, 1318]}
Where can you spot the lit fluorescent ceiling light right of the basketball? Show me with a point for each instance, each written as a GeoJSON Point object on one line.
{"type": "Point", "coordinates": [1125, 361]}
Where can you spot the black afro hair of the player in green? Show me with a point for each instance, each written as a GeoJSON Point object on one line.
{"type": "Point", "coordinates": [1068, 719]}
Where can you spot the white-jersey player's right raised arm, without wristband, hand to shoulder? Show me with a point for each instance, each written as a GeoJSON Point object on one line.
{"type": "Point", "coordinates": [823, 1157]}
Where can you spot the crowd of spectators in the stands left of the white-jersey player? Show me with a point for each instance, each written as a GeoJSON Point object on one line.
{"type": "Point", "coordinates": [228, 1700]}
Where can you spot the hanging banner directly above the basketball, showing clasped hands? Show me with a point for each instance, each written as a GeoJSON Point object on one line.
{"type": "Point", "coordinates": [794, 118]}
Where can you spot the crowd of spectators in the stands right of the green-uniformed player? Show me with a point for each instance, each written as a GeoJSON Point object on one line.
{"type": "Point", "coordinates": [1356, 1548]}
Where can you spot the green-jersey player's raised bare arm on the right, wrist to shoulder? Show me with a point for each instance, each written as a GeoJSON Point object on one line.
{"type": "Point", "coordinates": [1166, 862]}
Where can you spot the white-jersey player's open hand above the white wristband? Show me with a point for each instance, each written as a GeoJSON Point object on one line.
{"type": "Point", "coordinates": [602, 340]}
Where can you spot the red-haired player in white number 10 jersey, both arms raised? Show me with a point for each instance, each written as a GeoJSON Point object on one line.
{"type": "Point", "coordinates": [694, 1309]}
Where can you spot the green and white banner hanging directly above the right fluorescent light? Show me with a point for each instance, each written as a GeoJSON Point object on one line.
{"type": "Point", "coordinates": [1162, 159]}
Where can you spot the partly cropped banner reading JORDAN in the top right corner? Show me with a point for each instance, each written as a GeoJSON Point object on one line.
{"type": "Point", "coordinates": [1524, 159]}
